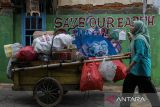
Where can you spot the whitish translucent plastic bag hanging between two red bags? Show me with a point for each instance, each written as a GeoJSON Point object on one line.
{"type": "Point", "coordinates": [107, 70]}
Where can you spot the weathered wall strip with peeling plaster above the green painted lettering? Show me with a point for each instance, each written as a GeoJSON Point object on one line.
{"type": "Point", "coordinates": [104, 7]}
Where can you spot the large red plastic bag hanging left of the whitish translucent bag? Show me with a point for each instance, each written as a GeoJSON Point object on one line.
{"type": "Point", "coordinates": [91, 78]}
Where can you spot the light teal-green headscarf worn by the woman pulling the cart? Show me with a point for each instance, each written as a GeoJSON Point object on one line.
{"type": "Point", "coordinates": [140, 32]}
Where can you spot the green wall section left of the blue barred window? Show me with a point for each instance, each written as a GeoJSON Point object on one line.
{"type": "Point", "coordinates": [10, 32]}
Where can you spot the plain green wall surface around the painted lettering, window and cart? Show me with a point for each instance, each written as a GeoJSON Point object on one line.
{"type": "Point", "coordinates": [10, 33]}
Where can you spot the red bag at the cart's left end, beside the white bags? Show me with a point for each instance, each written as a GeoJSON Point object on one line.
{"type": "Point", "coordinates": [26, 54]}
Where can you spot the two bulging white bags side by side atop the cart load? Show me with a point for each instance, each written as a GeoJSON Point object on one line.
{"type": "Point", "coordinates": [44, 43]}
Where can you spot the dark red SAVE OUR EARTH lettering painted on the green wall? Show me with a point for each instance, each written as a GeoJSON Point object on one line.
{"type": "Point", "coordinates": [93, 21]}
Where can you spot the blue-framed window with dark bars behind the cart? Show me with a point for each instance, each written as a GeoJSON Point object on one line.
{"type": "Point", "coordinates": [33, 23]}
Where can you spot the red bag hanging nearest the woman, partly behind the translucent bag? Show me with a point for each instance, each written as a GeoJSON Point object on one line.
{"type": "Point", "coordinates": [120, 71]}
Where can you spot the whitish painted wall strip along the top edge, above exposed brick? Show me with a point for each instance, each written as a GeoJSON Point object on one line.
{"type": "Point", "coordinates": [97, 2]}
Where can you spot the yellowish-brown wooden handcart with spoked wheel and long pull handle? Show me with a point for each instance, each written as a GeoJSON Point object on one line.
{"type": "Point", "coordinates": [49, 80]}
